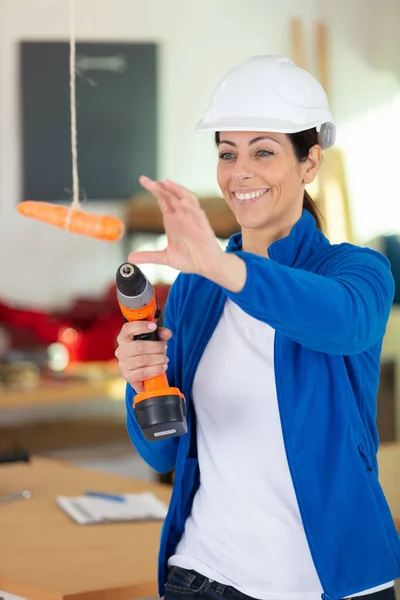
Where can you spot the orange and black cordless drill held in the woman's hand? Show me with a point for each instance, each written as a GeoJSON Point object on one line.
{"type": "Point", "coordinates": [160, 410]}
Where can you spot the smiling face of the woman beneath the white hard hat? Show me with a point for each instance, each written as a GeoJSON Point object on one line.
{"type": "Point", "coordinates": [262, 180]}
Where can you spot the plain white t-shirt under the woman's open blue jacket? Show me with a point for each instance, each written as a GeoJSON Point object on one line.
{"type": "Point", "coordinates": [245, 528]}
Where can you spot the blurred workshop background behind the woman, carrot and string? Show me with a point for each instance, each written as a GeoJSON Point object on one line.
{"type": "Point", "coordinates": [145, 72]}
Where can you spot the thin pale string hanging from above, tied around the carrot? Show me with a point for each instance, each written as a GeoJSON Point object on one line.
{"type": "Point", "coordinates": [74, 141]}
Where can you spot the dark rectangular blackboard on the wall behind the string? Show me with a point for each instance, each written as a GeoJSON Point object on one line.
{"type": "Point", "coordinates": [116, 90]}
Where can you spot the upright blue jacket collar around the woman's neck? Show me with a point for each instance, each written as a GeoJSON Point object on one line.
{"type": "Point", "coordinates": [294, 249]}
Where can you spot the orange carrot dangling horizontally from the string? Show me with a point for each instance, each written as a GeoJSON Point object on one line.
{"type": "Point", "coordinates": [102, 227]}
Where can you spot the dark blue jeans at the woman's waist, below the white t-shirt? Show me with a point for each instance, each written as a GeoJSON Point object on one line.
{"type": "Point", "coordinates": [182, 584]}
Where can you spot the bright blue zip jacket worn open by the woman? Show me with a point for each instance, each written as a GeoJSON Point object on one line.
{"type": "Point", "coordinates": [329, 305]}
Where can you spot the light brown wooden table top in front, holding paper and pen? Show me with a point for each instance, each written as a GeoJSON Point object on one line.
{"type": "Point", "coordinates": [44, 555]}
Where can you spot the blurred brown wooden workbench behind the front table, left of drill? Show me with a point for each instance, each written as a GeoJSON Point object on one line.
{"type": "Point", "coordinates": [21, 414]}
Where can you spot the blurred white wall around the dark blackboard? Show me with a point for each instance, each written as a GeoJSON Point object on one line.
{"type": "Point", "coordinates": [199, 41]}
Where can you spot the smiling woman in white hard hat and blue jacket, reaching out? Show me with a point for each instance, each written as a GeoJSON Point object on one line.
{"type": "Point", "coordinates": [275, 344]}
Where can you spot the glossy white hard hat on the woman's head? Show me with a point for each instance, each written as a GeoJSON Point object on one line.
{"type": "Point", "coordinates": [270, 93]}
